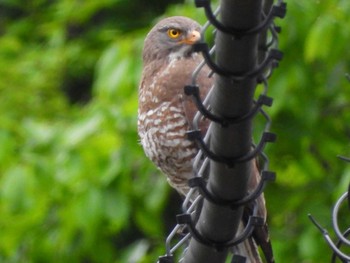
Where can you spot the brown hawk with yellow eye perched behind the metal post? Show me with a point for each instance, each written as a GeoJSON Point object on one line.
{"type": "Point", "coordinates": [165, 114]}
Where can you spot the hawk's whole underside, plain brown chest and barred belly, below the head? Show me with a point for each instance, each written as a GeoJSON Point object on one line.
{"type": "Point", "coordinates": [164, 116]}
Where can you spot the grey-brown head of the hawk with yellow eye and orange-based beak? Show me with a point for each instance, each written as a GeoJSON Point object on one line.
{"type": "Point", "coordinates": [171, 38]}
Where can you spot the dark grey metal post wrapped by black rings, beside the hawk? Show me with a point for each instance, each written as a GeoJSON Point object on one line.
{"type": "Point", "coordinates": [229, 99]}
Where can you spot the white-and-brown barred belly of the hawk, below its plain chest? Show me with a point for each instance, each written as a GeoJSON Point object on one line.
{"type": "Point", "coordinates": [163, 137]}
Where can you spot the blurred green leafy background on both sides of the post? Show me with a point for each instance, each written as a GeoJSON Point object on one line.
{"type": "Point", "coordinates": [75, 185]}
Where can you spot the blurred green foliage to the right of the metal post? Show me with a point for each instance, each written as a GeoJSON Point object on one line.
{"type": "Point", "coordinates": [311, 117]}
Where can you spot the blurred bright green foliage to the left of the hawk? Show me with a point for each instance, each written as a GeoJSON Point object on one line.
{"type": "Point", "coordinates": [74, 182]}
